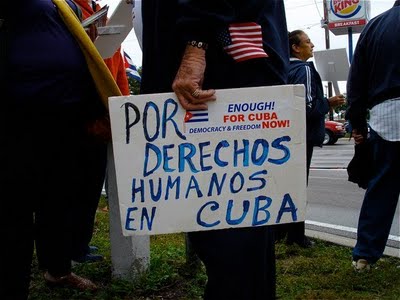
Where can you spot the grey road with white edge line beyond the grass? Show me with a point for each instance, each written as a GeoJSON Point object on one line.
{"type": "Point", "coordinates": [334, 203]}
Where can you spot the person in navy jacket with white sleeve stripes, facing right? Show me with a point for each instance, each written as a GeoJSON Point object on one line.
{"type": "Point", "coordinates": [317, 106]}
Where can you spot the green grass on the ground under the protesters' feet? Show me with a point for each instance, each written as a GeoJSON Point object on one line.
{"type": "Point", "coordinates": [322, 272]}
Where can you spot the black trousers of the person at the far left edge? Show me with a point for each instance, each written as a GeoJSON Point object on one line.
{"type": "Point", "coordinates": [40, 166]}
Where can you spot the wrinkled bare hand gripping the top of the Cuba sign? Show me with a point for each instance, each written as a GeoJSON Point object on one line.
{"type": "Point", "coordinates": [189, 79]}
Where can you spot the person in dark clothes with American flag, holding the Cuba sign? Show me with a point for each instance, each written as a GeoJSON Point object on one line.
{"type": "Point", "coordinates": [192, 48]}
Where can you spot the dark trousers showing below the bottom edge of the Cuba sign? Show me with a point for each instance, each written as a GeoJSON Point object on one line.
{"type": "Point", "coordinates": [240, 263]}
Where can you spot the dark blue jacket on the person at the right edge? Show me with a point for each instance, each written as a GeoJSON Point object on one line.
{"type": "Point", "coordinates": [375, 70]}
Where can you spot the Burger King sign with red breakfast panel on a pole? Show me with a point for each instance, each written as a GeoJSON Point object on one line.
{"type": "Point", "coordinates": [347, 13]}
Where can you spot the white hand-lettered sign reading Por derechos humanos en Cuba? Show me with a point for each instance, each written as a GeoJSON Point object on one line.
{"type": "Point", "coordinates": [240, 163]}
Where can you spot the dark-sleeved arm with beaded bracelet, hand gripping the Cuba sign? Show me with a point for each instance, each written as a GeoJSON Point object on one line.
{"type": "Point", "coordinates": [199, 23]}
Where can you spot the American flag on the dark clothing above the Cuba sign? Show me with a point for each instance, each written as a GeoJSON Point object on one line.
{"type": "Point", "coordinates": [243, 41]}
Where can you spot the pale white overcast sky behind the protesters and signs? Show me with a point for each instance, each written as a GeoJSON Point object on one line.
{"type": "Point", "coordinates": [300, 14]}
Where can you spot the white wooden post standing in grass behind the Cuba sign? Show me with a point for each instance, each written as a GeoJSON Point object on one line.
{"type": "Point", "coordinates": [130, 255]}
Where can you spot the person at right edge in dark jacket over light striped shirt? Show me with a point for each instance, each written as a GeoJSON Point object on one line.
{"type": "Point", "coordinates": [374, 87]}
